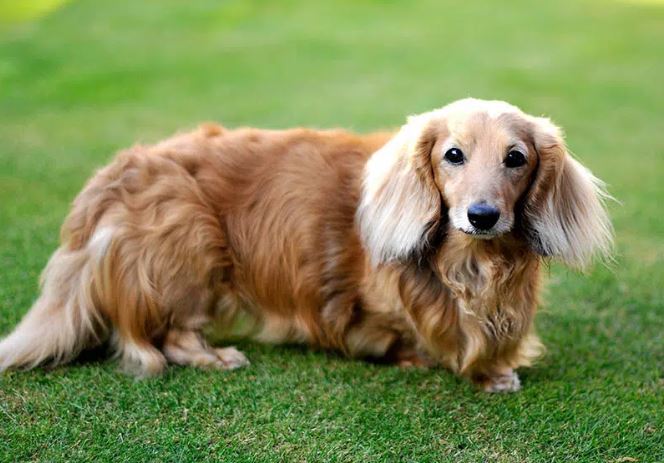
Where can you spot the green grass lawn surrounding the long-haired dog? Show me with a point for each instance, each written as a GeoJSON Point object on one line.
{"type": "Point", "coordinates": [95, 76]}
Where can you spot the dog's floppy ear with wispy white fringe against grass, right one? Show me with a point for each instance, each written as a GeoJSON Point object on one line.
{"type": "Point", "coordinates": [564, 212]}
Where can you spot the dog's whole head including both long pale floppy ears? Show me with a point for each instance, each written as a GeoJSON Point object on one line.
{"type": "Point", "coordinates": [486, 169]}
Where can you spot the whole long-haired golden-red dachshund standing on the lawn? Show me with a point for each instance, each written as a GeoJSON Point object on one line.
{"type": "Point", "coordinates": [421, 247]}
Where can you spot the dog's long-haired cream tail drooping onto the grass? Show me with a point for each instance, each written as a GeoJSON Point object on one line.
{"type": "Point", "coordinates": [65, 319]}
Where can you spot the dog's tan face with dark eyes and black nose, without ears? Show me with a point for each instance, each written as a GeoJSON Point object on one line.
{"type": "Point", "coordinates": [483, 161]}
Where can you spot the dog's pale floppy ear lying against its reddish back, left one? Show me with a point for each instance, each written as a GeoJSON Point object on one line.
{"type": "Point", "coordinates": [400, 205]}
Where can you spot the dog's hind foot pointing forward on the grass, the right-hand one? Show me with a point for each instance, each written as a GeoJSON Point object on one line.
{"type": "Point", "coordinates": [187, 347]}
